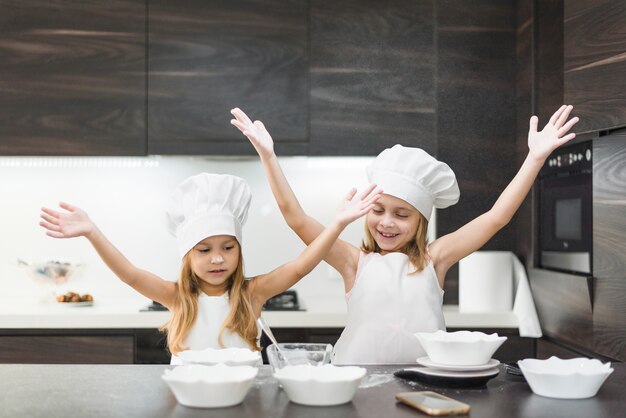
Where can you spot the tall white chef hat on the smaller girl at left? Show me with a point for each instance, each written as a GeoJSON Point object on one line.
{"type": "Point", "coordinates": [206, 205]}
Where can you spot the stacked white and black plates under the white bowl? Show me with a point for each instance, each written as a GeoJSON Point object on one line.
{"type": "Point", "coordinates": [451, 376]}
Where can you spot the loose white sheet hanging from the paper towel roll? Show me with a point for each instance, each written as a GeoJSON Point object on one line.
{"type": "Point", "coordinates": [524, 305]}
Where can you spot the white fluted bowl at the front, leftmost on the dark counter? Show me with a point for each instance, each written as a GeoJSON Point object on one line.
{"type": "Point", "coordinates": [216, 386]}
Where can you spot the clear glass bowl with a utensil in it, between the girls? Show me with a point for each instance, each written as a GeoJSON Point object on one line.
{"type": "Point", "coordinates": [294, 354]}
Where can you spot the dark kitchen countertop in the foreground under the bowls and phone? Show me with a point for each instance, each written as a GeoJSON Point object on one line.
{"type": "Point", "coordinates": [137, 391]}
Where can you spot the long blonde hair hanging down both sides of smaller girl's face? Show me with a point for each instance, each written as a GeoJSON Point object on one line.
{"type": "Point", "coordinates": [240, 319]}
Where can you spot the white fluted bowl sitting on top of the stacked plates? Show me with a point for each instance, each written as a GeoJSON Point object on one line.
{"type": "Point", "coordinates": [460, 348]}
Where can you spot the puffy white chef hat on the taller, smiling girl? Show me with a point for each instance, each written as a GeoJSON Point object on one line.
{"type": "Point", "coordinates": [413, 175]}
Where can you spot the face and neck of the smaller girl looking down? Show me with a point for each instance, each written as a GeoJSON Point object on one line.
{"type": "Point", "coordinates": [214, 260]}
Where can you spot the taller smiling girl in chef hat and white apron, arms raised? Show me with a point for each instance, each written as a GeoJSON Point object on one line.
{"type": "Point", "coordinates": [394, 281]}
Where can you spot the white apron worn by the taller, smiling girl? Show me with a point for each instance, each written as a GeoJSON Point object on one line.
{"type": "Point", "coordinates": [386, 306]}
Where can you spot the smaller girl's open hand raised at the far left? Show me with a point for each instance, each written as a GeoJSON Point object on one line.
{"type": "Point", "coordinates": [73, 223]}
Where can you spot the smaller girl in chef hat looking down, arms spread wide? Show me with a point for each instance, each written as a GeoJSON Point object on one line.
{"type": "Point", "coordinates": [212, 304]}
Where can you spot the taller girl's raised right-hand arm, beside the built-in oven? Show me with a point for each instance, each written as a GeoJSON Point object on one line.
{"type": "Point", "coordinates": [449, 249]}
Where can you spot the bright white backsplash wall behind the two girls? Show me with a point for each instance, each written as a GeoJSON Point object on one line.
{"type": "Point", "coordinates": [126, 197]}
